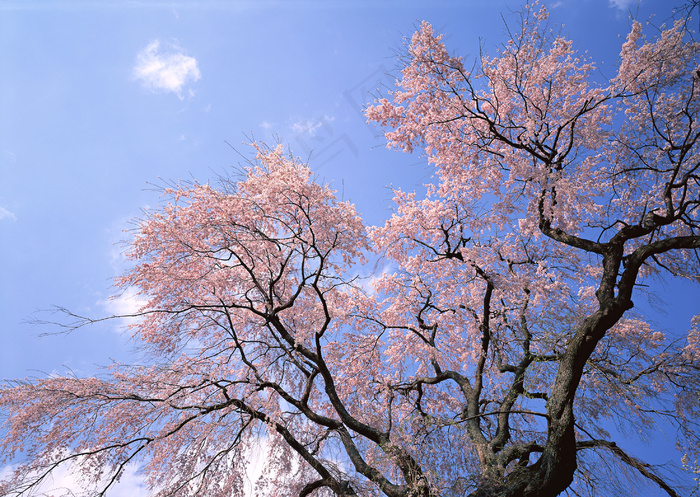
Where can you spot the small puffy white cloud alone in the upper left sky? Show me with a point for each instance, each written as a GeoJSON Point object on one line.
{"type": "Point", "coordinates": [164, 67]}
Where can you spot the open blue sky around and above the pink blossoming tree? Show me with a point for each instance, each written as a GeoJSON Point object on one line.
{"type": "Point", "coordinates": [100, 99]}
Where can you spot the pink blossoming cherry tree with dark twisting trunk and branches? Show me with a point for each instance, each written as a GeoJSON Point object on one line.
{"type": "Point", "coordinates": [489, 353]}
